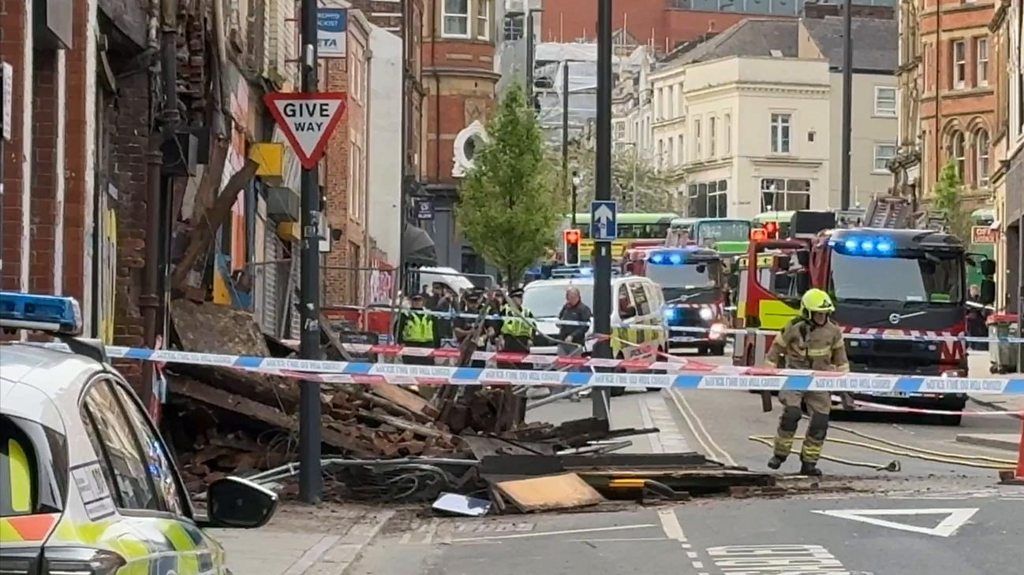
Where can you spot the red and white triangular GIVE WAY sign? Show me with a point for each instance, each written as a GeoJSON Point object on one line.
{"type": "Point", "coordinates": [308, 119]}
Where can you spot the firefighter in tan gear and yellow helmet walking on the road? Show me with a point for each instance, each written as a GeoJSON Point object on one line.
{"type": "Point", "coordinates": [809, 342]}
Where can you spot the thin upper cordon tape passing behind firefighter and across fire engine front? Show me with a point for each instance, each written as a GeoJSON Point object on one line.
{"type": "Point", "coordinates": [875, 334]}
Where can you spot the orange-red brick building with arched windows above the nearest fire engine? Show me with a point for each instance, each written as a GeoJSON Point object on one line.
{"type": "Point", "coordinates": [949, 87]}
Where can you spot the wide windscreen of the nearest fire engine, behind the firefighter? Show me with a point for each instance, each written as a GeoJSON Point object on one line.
{"type": "Point", "coordinates": [936, 279]}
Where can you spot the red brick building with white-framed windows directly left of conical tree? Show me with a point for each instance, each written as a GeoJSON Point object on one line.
{"type": "Point", "coordinates": [459, 80]}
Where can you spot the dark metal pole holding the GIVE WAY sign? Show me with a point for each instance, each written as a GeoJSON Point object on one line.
{"type": "Point", "coordinates": [310, 408]}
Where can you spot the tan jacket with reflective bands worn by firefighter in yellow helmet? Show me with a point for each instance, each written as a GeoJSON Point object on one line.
{"type": "Point", "coordinates": [806, 346]}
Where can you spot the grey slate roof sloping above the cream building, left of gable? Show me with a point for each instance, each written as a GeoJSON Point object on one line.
{"type": "Point", "coordinates": [752, 37]}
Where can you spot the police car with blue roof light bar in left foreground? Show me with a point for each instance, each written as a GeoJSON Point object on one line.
{"type": "Point", "coordinates": [88, 486]}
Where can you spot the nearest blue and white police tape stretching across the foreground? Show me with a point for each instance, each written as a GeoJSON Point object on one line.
{"type": "Point", "coordinates": [746, 379]}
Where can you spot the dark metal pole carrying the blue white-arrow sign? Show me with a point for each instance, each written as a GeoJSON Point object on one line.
{"type": "Point", "coordinates": [603, 169]}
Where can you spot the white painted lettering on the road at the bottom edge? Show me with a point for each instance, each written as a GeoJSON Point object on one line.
{"type": "Point", "coordinates": [751, 560]}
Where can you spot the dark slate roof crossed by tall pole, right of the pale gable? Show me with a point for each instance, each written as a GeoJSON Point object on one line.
{"type": "Point", "coordinates": [876, 42]}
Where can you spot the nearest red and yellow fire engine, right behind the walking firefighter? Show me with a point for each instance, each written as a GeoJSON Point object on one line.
{"type": "Point", "coordinates": [886, 280]}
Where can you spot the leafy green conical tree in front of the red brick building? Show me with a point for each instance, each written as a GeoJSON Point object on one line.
{"type": "Point", "coordinates": [508, 206]}
